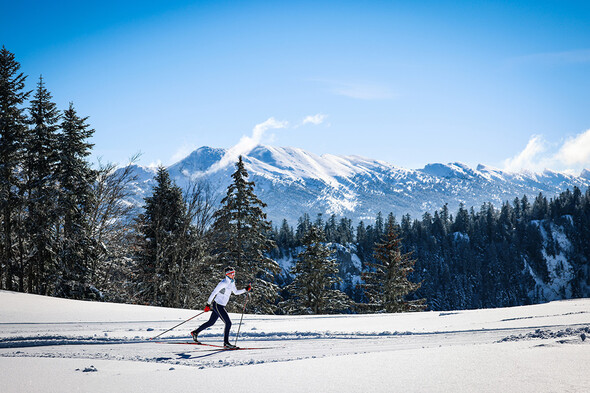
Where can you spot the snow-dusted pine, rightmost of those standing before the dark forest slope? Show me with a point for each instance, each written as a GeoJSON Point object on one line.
{"type": "Point", "coordinates": [386, 283]}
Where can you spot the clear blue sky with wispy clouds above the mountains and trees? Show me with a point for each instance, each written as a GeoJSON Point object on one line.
{"type": "Point", "coordinates": [506, 84]}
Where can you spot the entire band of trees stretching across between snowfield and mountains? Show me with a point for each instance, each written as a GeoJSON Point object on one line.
{"type": "Point", "coordinates": [67, 229]}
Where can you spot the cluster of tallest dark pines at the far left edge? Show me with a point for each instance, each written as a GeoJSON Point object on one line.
{"type": "Point", "coordinates": [46, 190]}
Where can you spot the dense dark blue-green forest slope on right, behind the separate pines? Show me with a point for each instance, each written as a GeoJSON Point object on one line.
{"type": "Point", "coordinates": [492, 257]}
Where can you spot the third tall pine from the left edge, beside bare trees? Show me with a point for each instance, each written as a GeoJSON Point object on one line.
{"type": "Point", "coordinates": [76, 178]}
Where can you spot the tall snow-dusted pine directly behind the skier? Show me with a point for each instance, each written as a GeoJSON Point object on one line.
{"type": "Point", "coordinates": [241, 237]}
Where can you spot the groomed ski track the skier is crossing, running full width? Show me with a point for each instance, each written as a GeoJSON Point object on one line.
{"type": "Point", "coordinates": [130, 341]}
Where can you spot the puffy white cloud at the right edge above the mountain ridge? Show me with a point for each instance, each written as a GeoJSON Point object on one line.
{"type": "Point", "coordinates": [571, 156]}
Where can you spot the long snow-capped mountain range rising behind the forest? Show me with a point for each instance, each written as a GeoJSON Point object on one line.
{"type": "Point", "coordinates": [292, 181]}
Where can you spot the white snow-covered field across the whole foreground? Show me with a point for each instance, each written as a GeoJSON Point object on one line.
{"type": "Point", "coordinates": [56, 345]}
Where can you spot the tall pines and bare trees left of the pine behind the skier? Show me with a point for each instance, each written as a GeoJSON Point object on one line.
{"type": "Point", "coordinates": [67, 229]}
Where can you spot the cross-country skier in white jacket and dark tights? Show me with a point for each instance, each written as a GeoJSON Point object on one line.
{"type": "Point", "coordinates": [217, 302]}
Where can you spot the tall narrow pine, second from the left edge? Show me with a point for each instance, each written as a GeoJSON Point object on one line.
{"type": "Point", "coordinates": [41, 190]}
